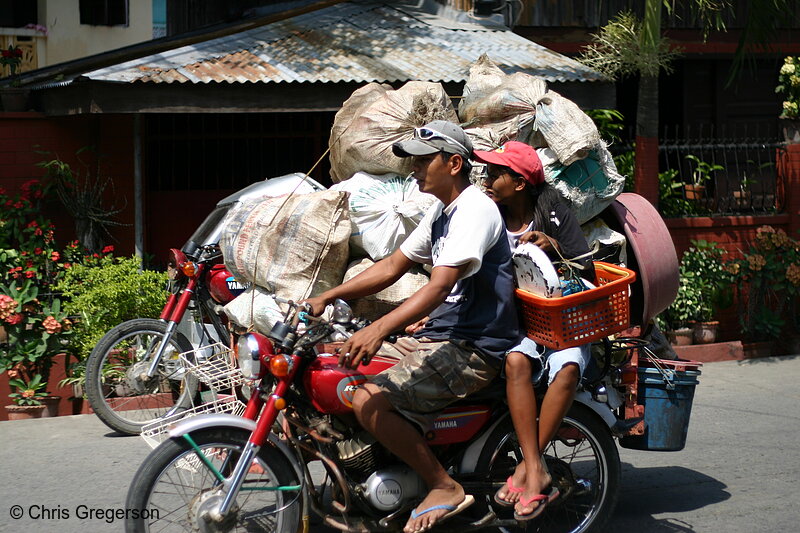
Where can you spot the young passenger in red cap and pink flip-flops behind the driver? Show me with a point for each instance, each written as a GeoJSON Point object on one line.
{"type": "Point", "coordinates": [533, 212]}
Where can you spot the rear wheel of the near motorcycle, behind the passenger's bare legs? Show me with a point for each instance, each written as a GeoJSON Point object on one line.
{"type": "Point", "coordinates": [584, 463]}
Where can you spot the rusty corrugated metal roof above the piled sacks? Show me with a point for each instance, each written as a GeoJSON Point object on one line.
{"type": "Point", "coordinates": [359, 41]}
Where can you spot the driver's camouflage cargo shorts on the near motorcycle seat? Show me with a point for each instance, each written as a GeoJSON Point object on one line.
{"type": "Point", "coordinates": [429, 376]}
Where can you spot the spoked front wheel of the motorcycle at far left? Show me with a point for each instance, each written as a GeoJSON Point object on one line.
{"type": "Point", "coordinates": [115, 387]}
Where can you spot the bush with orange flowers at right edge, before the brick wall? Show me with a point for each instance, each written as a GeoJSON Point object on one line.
{"type": "Point", "coordinates": [768, 280]}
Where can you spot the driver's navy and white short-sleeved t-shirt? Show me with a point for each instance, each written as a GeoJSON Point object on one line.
{"type": "Point", "coordinates": [481, 307]}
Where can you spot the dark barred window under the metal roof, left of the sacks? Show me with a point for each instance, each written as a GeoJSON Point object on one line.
{"type": "Point", "coordinates": [230, 151]}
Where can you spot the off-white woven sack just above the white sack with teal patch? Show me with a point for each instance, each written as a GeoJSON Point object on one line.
{"type": "Point", "coordinates": [568, 131]}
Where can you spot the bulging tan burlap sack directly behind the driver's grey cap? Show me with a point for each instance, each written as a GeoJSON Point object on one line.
{"type": "Point", "coordinates": [366, 145]}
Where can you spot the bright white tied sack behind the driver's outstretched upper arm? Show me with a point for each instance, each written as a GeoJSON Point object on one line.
{"type": "Point", "coordinates": [384, 210]}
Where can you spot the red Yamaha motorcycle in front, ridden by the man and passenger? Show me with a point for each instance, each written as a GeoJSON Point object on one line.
{"type": "Point", "coordinates": [219, 472]}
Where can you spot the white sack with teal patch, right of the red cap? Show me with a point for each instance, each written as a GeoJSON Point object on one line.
{"type": "Point", "coordinates": [589, 185]}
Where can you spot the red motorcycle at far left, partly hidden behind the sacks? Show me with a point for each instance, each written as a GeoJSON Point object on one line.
{"type": "Point", "coordinates": [134, 375]}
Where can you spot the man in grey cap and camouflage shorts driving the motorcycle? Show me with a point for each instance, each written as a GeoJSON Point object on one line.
{"type": "Point", "coordinates": [472, 316]}
